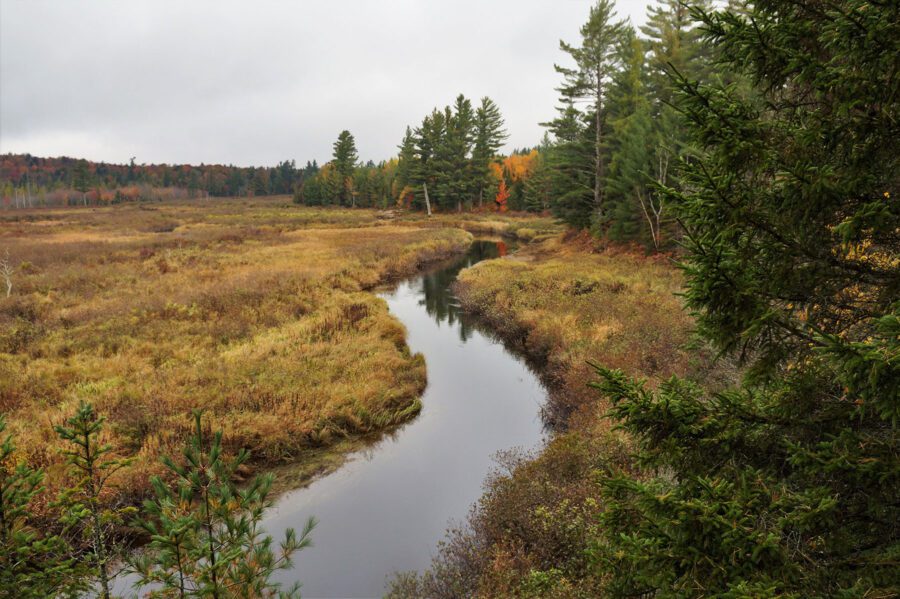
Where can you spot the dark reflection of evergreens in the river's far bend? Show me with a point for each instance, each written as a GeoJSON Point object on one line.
{"type": "Point", "coordinates": [438, 300]}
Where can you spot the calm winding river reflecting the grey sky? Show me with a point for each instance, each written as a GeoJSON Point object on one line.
{"type": "Point", "coordinates": [385, 510]}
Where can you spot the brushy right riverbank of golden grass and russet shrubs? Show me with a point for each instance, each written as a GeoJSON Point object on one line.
{"type": "Point", "coordinates": [563, 302]}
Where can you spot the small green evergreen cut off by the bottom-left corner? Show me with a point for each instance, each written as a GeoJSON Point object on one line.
{"type": "Point", "coordinates": [32, 565]}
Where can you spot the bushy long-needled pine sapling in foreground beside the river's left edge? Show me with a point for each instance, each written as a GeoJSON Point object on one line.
{"type": "Point", "coordinates": [206, 534]}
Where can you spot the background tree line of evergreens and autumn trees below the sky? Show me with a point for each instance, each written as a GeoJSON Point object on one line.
{"type": "Point", "coordinates": [613, 145]}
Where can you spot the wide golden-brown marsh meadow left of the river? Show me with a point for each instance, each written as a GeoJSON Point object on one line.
{"type": "Point", "coordinates": [258, 313]}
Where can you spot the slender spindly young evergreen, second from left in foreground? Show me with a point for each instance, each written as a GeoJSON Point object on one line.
{"type": "Point", "coordinates": [85, 511]}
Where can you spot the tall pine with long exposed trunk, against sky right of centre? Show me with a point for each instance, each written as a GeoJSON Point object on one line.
{"type": "Point", "coordinates": [595, 61]}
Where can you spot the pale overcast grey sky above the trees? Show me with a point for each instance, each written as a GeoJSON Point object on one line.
{"type": "Point", "coordinates": [256, 82]}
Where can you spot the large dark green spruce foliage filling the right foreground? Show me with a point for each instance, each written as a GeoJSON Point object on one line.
{"type": "Point", "coordinates": [788, 486]}
